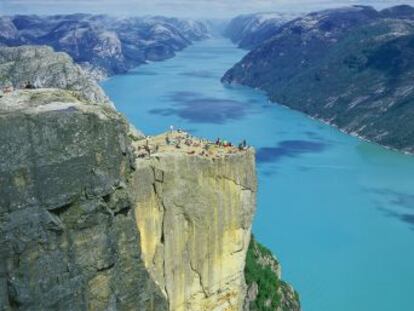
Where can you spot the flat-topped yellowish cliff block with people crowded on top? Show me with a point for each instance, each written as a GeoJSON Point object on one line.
{"type": "Point", "coordinates": [194, 214]}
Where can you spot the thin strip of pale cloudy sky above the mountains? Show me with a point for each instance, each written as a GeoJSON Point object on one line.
{"type": "Point", "coordinates": [180, 8]}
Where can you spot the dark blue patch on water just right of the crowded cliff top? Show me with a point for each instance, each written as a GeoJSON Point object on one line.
{"type": "Point", "coordinates": [288, 149]}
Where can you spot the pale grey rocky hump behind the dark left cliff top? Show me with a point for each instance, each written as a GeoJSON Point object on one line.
{"type": "Point", "coordinates": [41, 67]}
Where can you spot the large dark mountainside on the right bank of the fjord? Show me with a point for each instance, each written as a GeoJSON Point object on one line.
{"type": "Point", "coordinates": [350, 67]}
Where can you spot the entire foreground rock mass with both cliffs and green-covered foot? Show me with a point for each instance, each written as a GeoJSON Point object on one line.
{"type": "Point", "coordinates": [95, 217]}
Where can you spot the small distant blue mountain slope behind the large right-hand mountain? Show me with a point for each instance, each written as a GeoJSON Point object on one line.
{"type": "Point", "coordinates": [248, 31]}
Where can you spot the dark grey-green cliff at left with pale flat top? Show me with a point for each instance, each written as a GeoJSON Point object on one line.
{"type": "Point", "coordinates": [68, 235]}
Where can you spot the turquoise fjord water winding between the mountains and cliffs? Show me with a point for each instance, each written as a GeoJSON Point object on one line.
{"type": "Point", "coordinates": [338, 212]}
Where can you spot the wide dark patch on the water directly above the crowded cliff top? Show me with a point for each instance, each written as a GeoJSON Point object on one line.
{"type": "Point", "coordinates": [196, 108]}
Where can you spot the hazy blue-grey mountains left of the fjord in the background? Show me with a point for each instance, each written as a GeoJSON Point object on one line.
{"type": "Point", "coordinates": [103, 44]}
